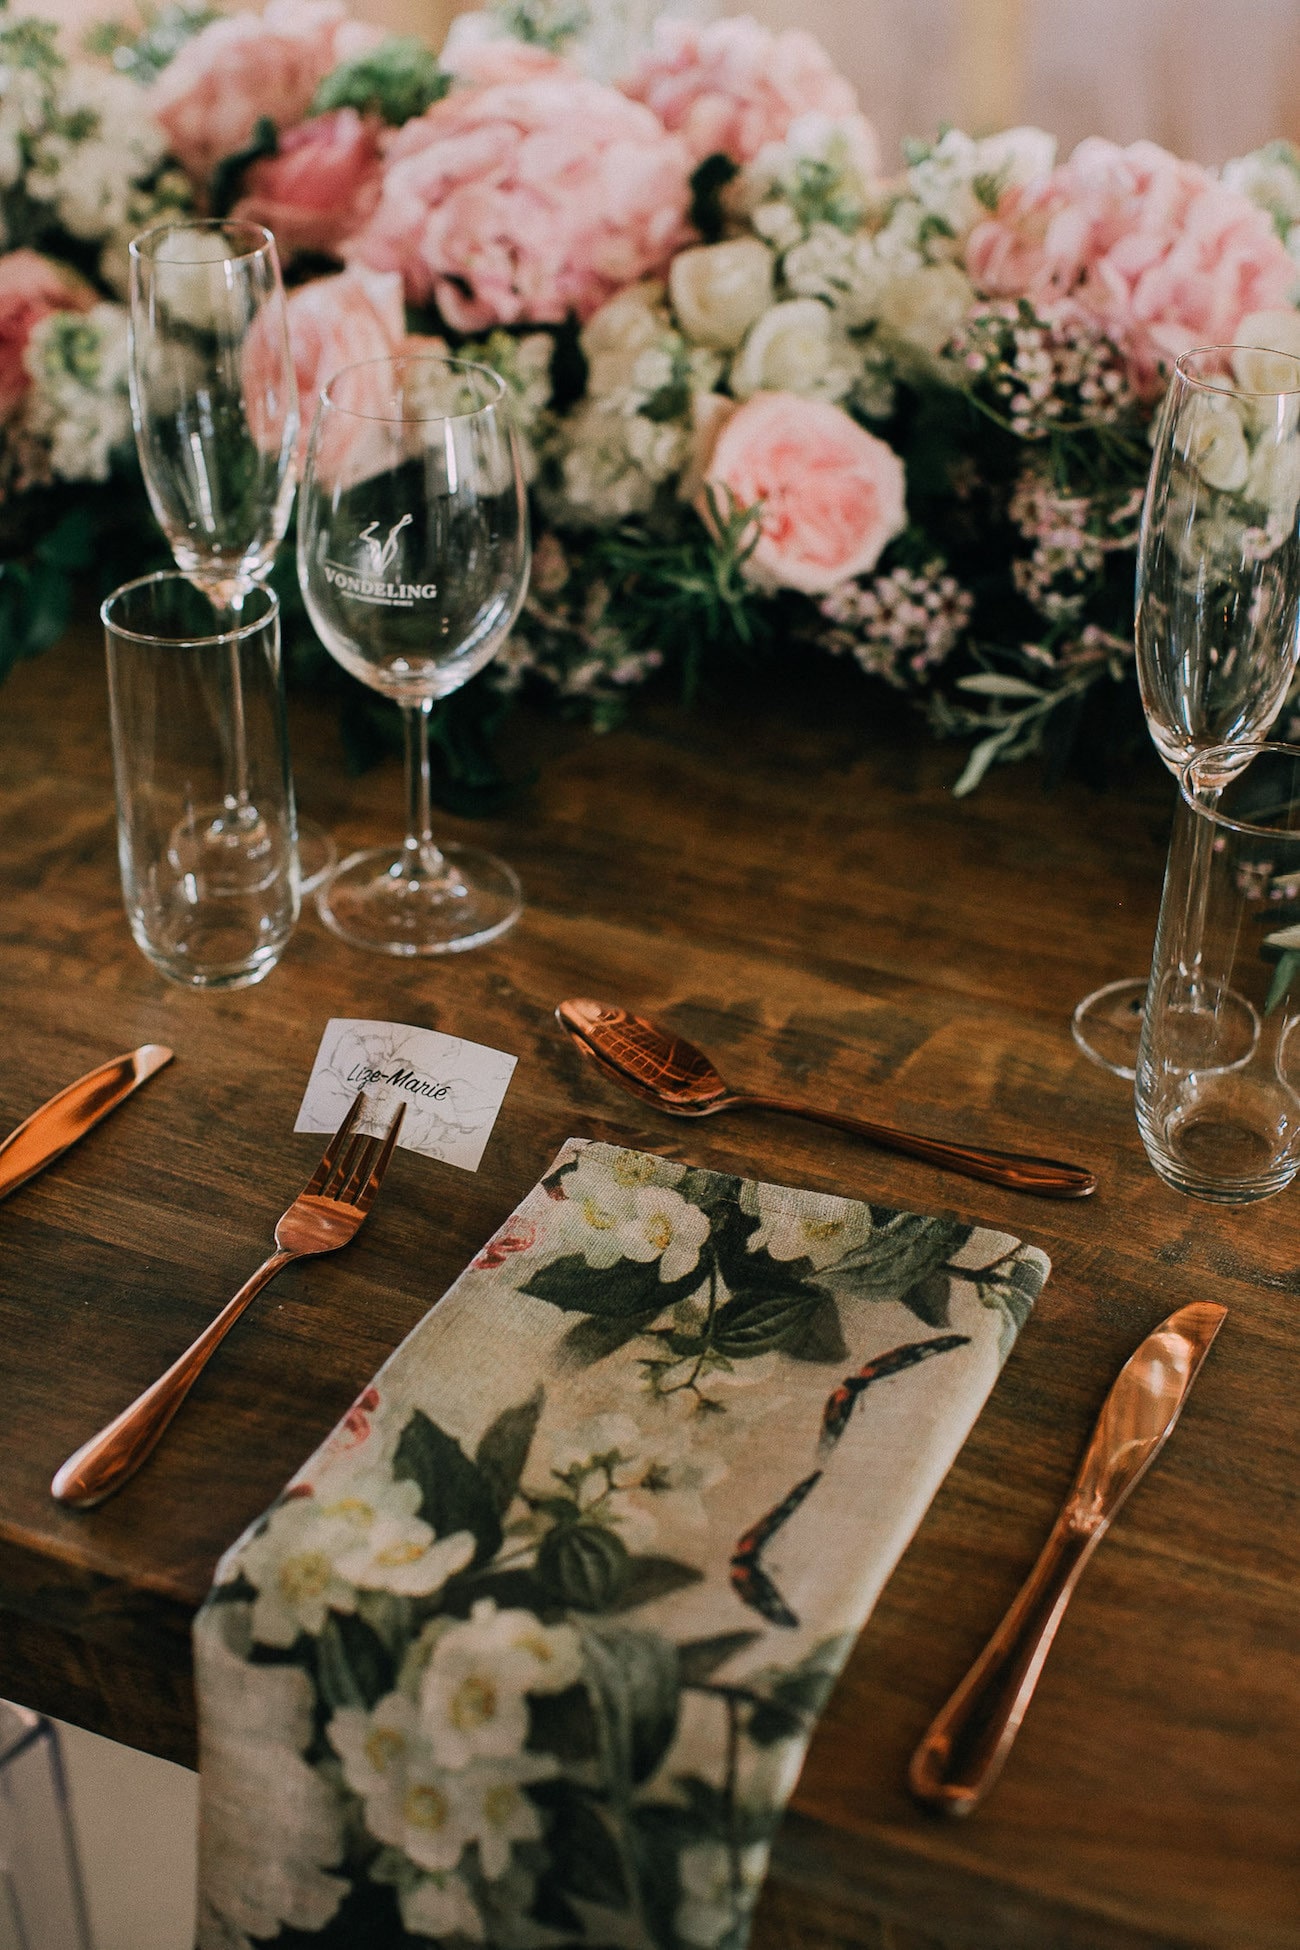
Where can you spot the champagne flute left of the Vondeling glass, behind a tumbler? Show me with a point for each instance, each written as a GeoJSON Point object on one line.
{"type": "Point", "coordinates": [215, 407]}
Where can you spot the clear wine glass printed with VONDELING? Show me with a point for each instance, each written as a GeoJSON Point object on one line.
{"type": "Point", "coordinates": [414, 566]}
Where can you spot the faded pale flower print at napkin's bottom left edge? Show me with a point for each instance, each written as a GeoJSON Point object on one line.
{"type": "Point", "coordinates": [268, 1848]}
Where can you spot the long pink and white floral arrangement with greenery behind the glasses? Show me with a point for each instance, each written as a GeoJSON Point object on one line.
{"type": "Point", "coordinates": [781, 403]}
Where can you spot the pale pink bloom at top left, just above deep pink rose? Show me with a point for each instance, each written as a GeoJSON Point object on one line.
{"type": "Point", "coordinates": [245, 67]}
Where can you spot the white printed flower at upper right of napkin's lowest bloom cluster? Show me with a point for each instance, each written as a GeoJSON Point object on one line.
{"type": "Point", "coordinates": [473, 1696]}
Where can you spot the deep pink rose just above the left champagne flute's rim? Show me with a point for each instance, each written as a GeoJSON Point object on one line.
{"type": "Point", "coordinates": [321, 186]}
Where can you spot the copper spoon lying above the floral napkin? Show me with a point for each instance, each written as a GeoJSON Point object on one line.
{"type": "Point", "coordinates": [677, 1077]}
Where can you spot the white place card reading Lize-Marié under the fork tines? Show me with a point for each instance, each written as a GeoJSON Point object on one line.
{"type": "Point", "coordinates": [451, 1089]}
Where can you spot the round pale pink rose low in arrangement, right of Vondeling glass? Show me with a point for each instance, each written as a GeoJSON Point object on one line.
{"type": "Point", "coordinates": [829, 492]}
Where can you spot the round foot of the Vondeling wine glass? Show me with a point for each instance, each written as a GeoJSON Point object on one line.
{"type": "Point", "coordinates": [373, 902]}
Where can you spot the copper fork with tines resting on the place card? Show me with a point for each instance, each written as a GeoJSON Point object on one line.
{"type": "Point", "coordinates": [323, 1218]}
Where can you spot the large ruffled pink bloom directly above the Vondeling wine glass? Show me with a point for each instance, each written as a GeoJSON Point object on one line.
{"type": "Point", "coordinates": [527, 200]}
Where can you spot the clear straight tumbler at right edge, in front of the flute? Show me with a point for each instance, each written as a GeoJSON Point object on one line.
{"type": "Point", "coordinates": [1219, 1064]}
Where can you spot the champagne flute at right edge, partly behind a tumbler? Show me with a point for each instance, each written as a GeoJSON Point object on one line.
{"type": "Point", "coordinates": [1217, 592]}
